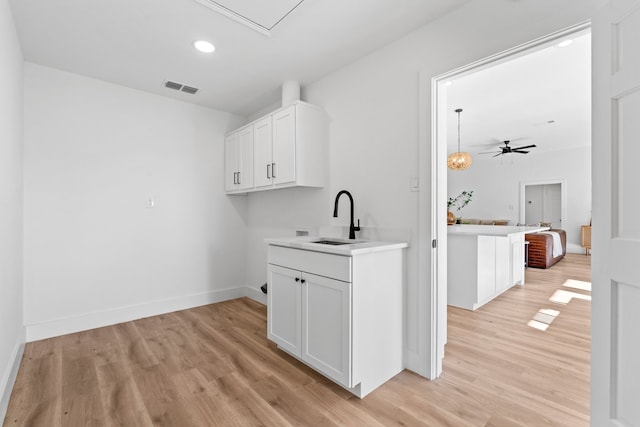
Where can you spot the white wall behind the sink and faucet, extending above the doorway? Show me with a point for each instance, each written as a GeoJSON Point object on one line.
{"type": "Point", "coordinates": [374, 135]}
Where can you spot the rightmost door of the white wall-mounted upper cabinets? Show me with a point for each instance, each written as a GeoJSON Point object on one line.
{"type": "Point", "coordinates": [284, 146]}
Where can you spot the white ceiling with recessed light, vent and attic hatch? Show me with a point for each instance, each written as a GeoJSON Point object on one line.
{"type": "Point", "coordinates": [143, 43]}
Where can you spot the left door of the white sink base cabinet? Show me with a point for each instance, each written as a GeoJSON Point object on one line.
{"type": "Point", "coordinates": [284, 316]}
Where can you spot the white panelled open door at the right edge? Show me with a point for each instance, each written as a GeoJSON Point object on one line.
{"type": "Point", "coordinates": [615, 358]}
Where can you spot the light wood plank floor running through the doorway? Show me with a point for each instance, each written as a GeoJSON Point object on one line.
{"type": "Point", "coordinates": [213, 366]}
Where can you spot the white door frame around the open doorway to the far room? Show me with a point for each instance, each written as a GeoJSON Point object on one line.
{"type": "Point", "coordinates": [432, 227]}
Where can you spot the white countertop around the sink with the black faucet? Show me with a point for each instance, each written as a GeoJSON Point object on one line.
{"type": "Point", "coordinates": [358, 246]}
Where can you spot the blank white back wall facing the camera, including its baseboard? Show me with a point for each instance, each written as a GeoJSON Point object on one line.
{"type": "Point", "coordinates": [94, 253]}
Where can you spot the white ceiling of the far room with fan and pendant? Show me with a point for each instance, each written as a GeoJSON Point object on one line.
{"type": "Point", "coordinates": [542, 97]}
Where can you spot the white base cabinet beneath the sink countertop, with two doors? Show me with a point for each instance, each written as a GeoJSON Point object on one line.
{"type": "Point", "coordinates": [341, 315]}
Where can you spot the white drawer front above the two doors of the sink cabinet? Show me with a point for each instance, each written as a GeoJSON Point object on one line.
{"type": "Point", "coordinates": [327, 265]}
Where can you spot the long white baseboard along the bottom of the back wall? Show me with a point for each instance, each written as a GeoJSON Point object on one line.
{"type": "Point", "coordinates": [98, 319]}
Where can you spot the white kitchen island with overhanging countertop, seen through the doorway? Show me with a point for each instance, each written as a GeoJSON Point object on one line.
{"type": "Point", "coordinates": [483, 261]}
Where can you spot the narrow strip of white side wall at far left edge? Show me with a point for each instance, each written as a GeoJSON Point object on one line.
{"type": "Point", "coordinates": [11, 328]}
